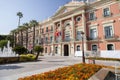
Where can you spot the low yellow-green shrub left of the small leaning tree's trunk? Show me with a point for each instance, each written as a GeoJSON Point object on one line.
{"type": "Point", "coordinates": [27, 57]}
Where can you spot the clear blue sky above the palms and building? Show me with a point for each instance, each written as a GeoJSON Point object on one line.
{"type": "Point", "coordinates": [31, 9]}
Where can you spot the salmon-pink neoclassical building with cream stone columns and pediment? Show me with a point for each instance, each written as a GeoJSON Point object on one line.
{"type": "Point", "coordinates": [61, 33]}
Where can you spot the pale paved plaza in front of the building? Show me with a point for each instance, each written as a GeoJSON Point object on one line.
{"type": "Point", "coordinates": [45, 63]}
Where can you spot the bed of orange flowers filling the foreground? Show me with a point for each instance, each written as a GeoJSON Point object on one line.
{"type": "Point", "coordinates": [74, 72]}
